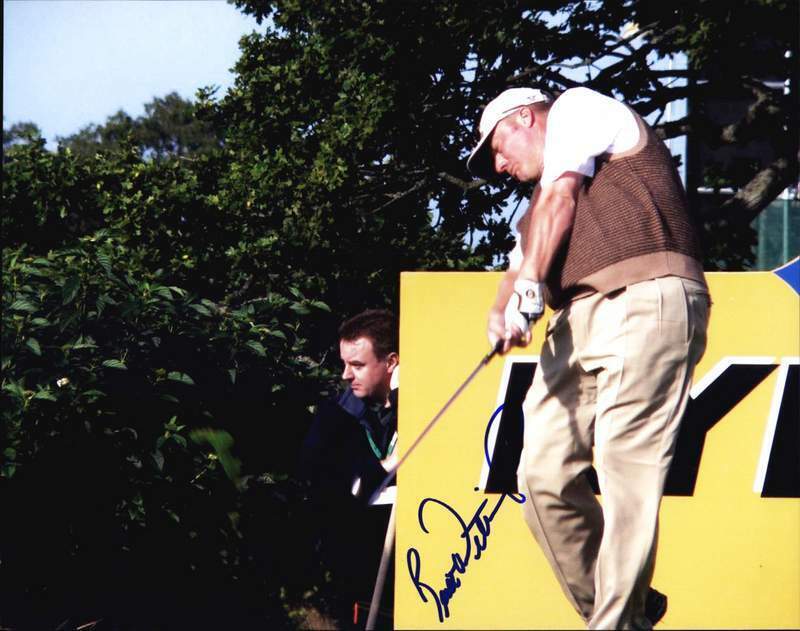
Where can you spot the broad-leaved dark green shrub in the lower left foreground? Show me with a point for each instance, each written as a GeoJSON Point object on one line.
{"type": "Point", "coordinates": [116, 478]}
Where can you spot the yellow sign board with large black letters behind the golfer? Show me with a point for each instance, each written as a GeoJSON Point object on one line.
{"type": "Point", "coordinates": [729, 542]}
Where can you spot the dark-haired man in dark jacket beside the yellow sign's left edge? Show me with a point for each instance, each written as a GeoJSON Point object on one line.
{"type": "Point", "coordinates": [347, 453]}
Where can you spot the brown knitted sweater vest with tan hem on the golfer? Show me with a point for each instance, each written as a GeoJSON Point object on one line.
{"type": "Point", "coordinates": [631, 224]}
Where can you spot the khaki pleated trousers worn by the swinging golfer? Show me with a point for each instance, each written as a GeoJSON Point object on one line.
{"type": "Point", "coordinates": [613, 378]}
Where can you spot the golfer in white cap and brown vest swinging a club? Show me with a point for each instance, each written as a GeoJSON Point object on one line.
{"type": "Point", "coordinates": [609, 244]}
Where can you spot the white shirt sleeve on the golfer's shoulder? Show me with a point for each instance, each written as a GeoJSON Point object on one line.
{"type": "Point", "coordinates": [581, 125]}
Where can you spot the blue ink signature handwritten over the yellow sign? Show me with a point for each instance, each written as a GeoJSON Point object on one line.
{"type": "Point", "coordinates": [475, 534]}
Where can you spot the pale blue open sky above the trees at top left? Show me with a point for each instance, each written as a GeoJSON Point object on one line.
{"type": "Point", "coordinates": [68, 63]}
